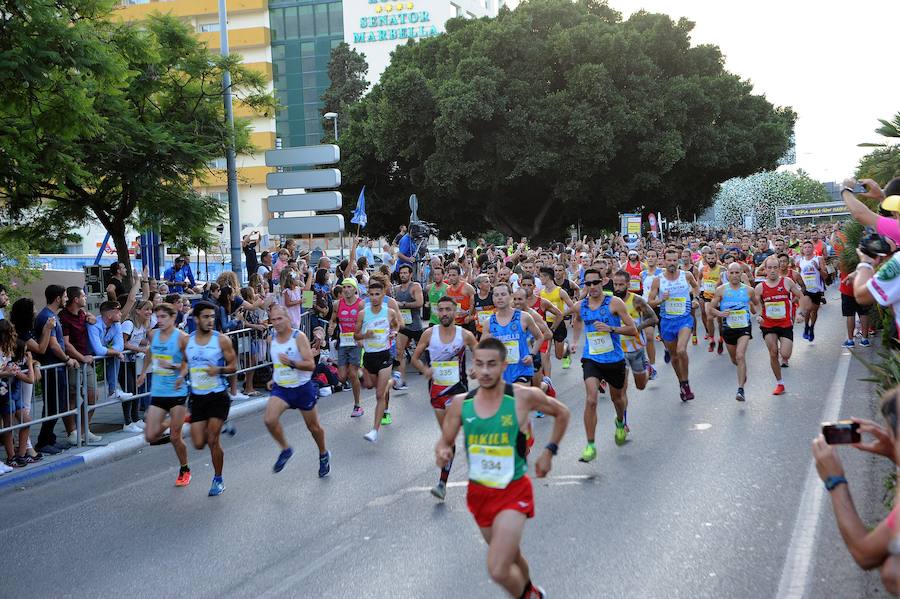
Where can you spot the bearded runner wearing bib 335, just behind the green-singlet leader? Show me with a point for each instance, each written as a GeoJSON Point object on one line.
{"type": "Point", "coordinates": [446, 372]}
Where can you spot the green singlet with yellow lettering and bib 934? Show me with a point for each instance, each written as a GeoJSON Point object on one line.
{"type": "Point", "coordinates": [495, 445]}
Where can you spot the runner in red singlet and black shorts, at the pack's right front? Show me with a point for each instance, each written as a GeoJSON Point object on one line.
{"type": "Point", "coordinates": [777, 320]}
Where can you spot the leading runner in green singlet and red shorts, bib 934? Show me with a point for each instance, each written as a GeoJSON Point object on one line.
{"type": "Point", "coordinates": [494, 418]}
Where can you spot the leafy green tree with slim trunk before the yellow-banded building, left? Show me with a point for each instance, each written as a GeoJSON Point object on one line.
{"type": "Point", "coordinates": [160, 124]}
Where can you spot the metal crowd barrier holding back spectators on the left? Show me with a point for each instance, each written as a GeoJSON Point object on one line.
{"type": "Point", "coordinates": [75, 393]}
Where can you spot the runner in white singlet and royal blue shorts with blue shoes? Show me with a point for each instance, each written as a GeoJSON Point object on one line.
{"type": "Point", "coordinates": [292, 388]}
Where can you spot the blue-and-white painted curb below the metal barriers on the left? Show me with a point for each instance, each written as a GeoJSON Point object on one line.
{"type": "Point", "coordinates": [105, 454]}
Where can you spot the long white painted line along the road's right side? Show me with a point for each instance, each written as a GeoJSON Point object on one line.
{"type": "Point", "coordinates": [798, 564]}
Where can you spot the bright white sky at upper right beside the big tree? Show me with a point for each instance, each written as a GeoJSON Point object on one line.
{"type": "Point", "coordinates": [830, 60]}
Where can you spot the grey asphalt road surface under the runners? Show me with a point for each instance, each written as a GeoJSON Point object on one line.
{"type": "Point", "coordinates": [702, 502]}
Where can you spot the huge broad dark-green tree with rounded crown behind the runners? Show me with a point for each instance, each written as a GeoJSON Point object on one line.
{"type": "Point", "coordinates": [556, 112]}
